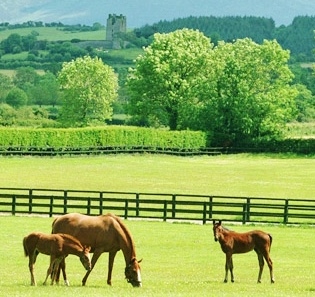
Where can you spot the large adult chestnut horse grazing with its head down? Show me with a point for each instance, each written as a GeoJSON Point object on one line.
{"type": "Point", "coordinates": [104, 233]}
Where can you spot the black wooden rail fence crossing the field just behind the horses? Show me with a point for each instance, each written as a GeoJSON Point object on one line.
{"type": "Point", "coordinates": [175, 207]}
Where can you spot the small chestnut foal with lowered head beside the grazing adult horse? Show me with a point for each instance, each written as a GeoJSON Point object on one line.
{"type": "Point", "coordinates": [58, 246]}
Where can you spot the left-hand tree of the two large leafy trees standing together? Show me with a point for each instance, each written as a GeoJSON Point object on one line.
{"type": "Point", "coordinates": [169, 79]}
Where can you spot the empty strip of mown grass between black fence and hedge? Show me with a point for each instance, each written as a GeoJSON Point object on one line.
{"type": "Point", "coordinates": [249, 175]}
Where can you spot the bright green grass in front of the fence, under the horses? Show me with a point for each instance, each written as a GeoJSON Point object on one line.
{"type": "Point", "coordinates": [178, 260]}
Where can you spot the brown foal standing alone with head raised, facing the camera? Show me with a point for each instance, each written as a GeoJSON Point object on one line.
{"type": "Point", "coordinates": [237, 243]}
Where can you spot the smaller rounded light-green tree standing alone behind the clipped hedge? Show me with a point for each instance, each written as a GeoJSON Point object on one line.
{"type": "Point", "coordinates": [89, 90]}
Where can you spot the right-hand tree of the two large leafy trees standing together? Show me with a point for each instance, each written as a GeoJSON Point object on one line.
{"type": "Point", "coordinates": [253, 96]}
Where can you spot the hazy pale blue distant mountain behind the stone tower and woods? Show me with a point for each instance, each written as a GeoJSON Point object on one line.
{"type": "Point", "coordinates": [142, 12]}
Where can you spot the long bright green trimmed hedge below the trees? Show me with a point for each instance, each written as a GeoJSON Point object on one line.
{"type": "Point", "coordinates": [111, 136]}
